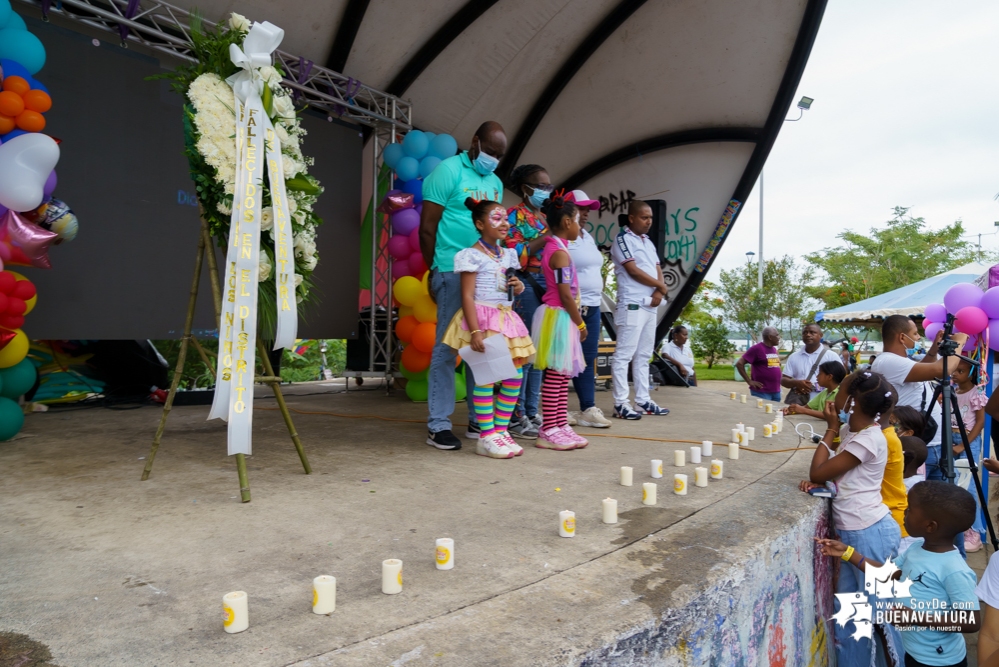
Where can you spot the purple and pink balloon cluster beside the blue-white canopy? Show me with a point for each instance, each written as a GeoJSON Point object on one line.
{"type": "Point", "coordinates": [976, 313]}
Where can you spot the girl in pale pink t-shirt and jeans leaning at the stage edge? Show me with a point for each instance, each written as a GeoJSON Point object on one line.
{"type": "Point", "coordinates": [862, 520]}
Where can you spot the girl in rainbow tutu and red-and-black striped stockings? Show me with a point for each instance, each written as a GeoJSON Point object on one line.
{"type": "Point", "coordinates": [558, 328]}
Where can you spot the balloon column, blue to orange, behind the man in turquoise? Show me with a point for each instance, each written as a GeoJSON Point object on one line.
{"type": "Point", "coordinates": [413, 160]}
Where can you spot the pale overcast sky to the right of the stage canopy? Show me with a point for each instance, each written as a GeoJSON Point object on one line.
{"type": "Point", "coordinates": [905, 113]}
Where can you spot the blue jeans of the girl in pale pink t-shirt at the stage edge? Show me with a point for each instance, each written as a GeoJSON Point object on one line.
{"type": "Point", "coordinates": [878, 542]}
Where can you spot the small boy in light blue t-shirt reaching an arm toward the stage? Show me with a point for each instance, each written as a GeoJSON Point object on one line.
{"type": "Point", "coordinates": [932, 572]}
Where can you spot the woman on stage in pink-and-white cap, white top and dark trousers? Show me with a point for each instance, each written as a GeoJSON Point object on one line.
{"type": "Point", "coordinates": [588, 261]}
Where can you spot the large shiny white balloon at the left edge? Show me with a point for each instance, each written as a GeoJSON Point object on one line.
{"type": "Point", "coordinates": [25, 163]}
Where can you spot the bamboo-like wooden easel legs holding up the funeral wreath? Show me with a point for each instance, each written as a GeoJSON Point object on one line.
{"type": "Point", "coordinates": [205, 244]}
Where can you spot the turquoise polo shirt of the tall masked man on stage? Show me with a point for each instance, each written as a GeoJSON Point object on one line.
{"type": "Point", "coordinates": [450, 183]}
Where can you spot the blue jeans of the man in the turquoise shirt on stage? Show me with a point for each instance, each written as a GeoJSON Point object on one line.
{"type": "Point", "coordinates": [446, 289]}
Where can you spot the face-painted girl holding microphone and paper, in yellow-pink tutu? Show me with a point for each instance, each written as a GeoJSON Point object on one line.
{"type": "Point", "coordinates": [486, 311]}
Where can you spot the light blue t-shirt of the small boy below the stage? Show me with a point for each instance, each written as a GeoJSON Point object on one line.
{"type": "Point", "coordinates": [936, 578]}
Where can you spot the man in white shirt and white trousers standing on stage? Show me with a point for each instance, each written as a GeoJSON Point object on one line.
{"type": "Point", "coordinates": [640, 290]}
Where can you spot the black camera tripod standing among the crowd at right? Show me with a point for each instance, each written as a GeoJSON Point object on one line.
{"type": "Point", "coordinates": [948, 349]}
